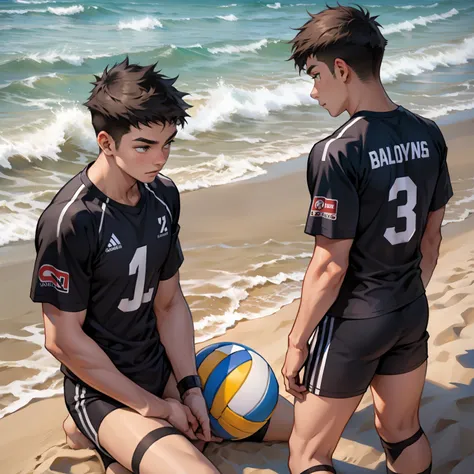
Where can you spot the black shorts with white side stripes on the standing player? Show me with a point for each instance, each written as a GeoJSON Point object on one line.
{"type": "Point", "coordinates": [345, 354]}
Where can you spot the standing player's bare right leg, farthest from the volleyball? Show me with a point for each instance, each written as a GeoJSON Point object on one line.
{"type": "Point", "coordinates": [396, 405]}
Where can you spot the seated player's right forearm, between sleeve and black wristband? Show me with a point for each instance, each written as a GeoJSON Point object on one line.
{"type": "Point", "coordinates": [175, 325]}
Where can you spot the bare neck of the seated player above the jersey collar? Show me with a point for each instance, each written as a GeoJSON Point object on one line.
{"type": "Point", "coordinates": [113, 181]}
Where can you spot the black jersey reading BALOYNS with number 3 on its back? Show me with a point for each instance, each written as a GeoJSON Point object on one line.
{"type": "Point", "coordinates": [375, 180]}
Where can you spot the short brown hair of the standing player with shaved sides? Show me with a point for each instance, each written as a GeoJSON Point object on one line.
{"type": "Point", "coordinates": [341, 32]}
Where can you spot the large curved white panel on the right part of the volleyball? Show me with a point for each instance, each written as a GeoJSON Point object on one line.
{"type": "Point", "coordinates": [254, 387]}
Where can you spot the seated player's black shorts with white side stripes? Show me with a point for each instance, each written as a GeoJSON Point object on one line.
{"type": "Point", "coordinates": [88, 408]}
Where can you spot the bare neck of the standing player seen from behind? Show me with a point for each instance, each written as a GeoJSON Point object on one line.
{"type": "Point", "coordinates": [370, 96]}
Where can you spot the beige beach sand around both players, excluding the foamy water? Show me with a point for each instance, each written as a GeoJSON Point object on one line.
{"type": "Point", "coordinates": [32, 441]}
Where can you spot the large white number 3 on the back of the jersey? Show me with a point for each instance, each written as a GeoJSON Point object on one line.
{"type": "Point", "coordinates": [403, 184]}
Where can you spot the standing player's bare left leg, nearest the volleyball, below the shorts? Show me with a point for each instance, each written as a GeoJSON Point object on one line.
{"type": "Point", "coordinates": [319, 423]}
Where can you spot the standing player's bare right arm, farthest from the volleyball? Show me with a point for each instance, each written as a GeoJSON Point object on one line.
{"type": "Point", "coordinates": [430, 244]}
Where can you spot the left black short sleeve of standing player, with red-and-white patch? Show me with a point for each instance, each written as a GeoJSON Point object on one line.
{"type": "Point", "coordinates": [334, 206]}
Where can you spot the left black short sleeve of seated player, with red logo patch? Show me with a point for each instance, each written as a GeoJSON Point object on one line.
{"type": "Point", "coordinates": [63, 268]}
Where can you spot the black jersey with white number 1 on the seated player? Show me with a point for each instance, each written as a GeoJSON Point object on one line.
{"type": "Point", "coordinates": [108, 258]}
